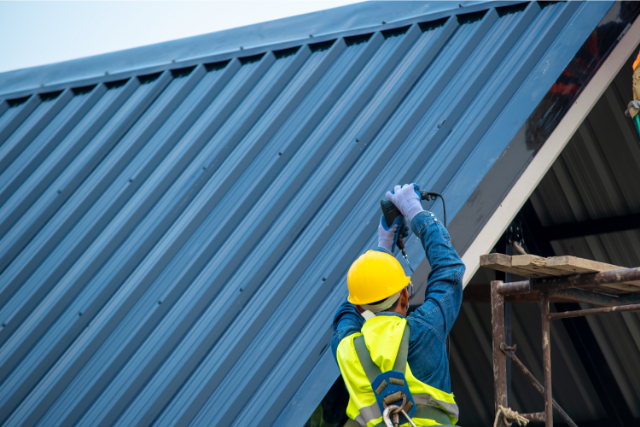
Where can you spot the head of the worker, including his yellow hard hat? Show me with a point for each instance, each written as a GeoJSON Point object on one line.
{"type": "Point", "coordinates": [377, 283]}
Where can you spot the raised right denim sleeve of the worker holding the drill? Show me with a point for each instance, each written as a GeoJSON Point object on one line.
{"type": "Point", "coordinates": [443, 296]}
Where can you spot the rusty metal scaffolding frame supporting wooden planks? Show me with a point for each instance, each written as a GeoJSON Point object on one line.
{"type": "Point", "coordinates": [545, 290]}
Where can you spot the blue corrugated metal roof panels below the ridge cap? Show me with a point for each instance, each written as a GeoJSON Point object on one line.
{"type": "Point", "coordinates": [173, 245]}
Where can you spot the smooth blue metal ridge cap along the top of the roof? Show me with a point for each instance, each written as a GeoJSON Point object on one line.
{"type": "Point", "coordinates": [283, 33]}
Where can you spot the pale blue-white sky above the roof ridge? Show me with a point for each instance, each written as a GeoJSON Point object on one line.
{"type": "Point", "coordinates": [43, 32]}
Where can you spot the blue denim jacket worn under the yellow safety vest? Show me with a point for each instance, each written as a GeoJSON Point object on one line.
{"type": "Point", "coordinates": [430, 323]}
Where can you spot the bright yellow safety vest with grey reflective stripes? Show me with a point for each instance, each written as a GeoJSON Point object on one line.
{"type": "Point", "coordinates": [382, 336]}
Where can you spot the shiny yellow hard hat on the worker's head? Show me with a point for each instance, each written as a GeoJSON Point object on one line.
{"type": "Point", "coordinates": [373, 277]}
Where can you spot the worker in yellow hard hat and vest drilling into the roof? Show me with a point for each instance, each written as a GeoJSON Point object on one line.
{"type": "Point", "coordinates": [375, 316]}
